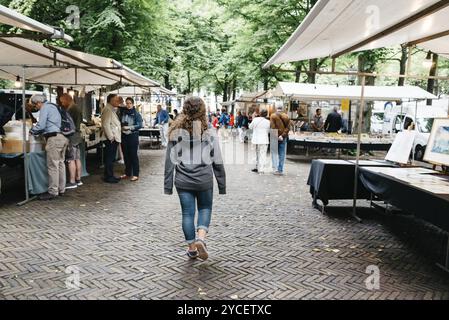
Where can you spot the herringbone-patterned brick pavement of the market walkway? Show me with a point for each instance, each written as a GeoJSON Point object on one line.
{"type": "Point", "coordinates": [266, 242]}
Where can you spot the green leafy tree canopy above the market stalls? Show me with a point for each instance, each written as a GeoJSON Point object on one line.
{"type": "Point", "coordinates": [218, 46]}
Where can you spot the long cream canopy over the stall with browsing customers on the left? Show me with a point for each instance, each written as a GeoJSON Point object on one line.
{"type": "Point", "coordinates": [47, 64]}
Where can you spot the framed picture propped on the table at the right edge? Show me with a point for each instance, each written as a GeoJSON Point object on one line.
{"type": "Point", "coordinates": [437, 151]}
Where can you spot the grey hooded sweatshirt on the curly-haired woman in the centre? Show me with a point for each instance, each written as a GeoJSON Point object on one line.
{"type": "Point", "coordinates": [196, 161]}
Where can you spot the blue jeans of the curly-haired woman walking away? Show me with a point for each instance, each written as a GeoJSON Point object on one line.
{"type": "Point", "coordinates": [204, 200]}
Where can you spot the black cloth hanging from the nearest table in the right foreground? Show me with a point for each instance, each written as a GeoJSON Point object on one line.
{"type": "Point", "coordinates": [422, 204]}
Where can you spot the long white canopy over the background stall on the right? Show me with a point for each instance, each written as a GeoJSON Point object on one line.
{"type": "Point", "coordinates": [302, 91]}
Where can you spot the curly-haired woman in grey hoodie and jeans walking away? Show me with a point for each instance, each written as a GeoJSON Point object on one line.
{"type": "Point", "coordinates": [195, 154]}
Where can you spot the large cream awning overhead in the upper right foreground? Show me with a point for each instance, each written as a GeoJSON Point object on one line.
{"type": "Point", "coordinates": [334, 28]}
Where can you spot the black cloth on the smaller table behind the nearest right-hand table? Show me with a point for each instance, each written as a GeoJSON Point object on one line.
{"type": "Point", "coordinates": [334, 180]}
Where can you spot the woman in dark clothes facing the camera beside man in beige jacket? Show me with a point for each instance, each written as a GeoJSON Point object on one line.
{"type": "Point", "coordinates": [131, 122]}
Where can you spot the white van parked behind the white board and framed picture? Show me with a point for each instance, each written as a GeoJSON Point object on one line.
{"type": "Point", "coordinates": [399, 118]}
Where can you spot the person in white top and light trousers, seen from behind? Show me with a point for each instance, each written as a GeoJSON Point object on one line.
{"type": "Point", "coordinates": [261, 129]}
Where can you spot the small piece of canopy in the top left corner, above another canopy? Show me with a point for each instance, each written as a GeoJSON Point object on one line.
{"type": "Point", "coordinates": [15, 19]}
